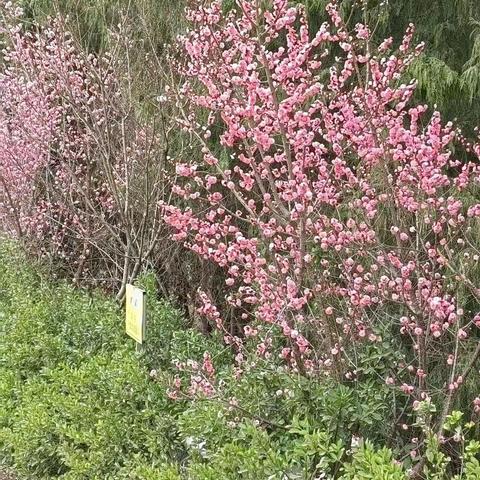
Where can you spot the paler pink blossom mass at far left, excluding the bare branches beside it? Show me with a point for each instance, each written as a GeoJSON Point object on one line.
{"type": "Point", "coordinates": [49, 94]}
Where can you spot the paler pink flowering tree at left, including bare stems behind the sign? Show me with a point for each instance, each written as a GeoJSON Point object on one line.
{"type": "Point", "coordinates": [78, 180]}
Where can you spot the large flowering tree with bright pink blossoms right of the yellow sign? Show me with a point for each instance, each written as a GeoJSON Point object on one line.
{"type": "Point", "coordinates": [337, 208]}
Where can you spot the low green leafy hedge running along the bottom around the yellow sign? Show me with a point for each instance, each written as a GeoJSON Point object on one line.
{"type": "Point", "coordinates": [77, 402]}
